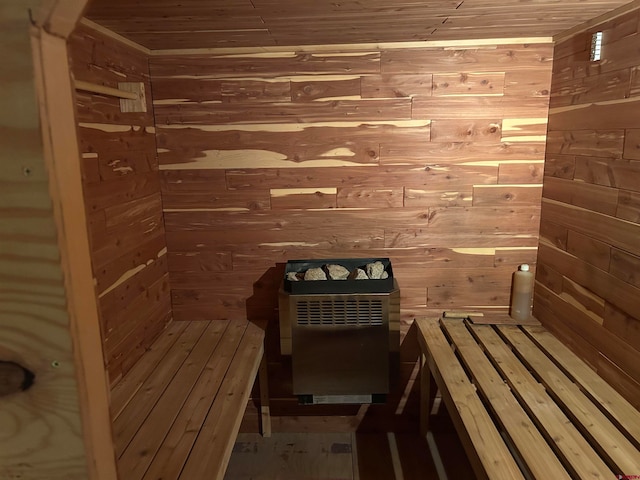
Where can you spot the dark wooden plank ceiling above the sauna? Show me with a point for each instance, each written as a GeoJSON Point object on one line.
{"type": "Point", "coordinates": [169, 24]}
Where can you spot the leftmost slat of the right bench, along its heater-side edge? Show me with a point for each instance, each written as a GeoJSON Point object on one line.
{"type": "Point", "coordinates": [478, 433]}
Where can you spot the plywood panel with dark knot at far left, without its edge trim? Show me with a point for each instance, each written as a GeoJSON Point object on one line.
{"type": "Point", "coordinates": [34, 322]}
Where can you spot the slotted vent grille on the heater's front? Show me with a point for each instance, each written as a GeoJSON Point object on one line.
{"type": "Point", "coordinates": [353, 311]}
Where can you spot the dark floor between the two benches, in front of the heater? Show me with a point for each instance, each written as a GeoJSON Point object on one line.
{"type": "Point", "coordinates": [352, 456]}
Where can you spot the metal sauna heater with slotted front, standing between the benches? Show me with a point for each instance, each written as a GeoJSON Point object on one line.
{"type": "Point", "coordinates": [342, 341]}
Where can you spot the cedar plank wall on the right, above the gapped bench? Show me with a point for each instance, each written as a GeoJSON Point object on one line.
{"type": "Point", "coordinates": [588, 287]}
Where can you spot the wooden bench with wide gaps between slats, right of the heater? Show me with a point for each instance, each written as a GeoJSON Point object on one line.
{"type": "Point", "coordinates": [524, 405]}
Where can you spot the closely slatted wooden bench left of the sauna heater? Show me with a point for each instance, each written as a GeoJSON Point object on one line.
{"type": "Point", "coordinates": [177, 413]}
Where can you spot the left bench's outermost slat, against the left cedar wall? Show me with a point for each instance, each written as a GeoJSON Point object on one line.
{"type": "Point", "coordinates": [127, 387]}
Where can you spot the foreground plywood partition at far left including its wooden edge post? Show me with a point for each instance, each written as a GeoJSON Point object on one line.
{"type": "Point", "coordinates": [56, 401]}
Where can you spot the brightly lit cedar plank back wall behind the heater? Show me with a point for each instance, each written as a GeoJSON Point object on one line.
{"type": "Point", "coordinates": [430, 156]}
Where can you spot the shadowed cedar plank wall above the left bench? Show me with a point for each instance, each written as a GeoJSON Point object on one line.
{"type": "Point", "coordinates": [123, 203]}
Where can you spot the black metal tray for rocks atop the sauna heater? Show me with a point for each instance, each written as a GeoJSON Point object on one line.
{"type": "Point", "coordinates": [302, 287]}
